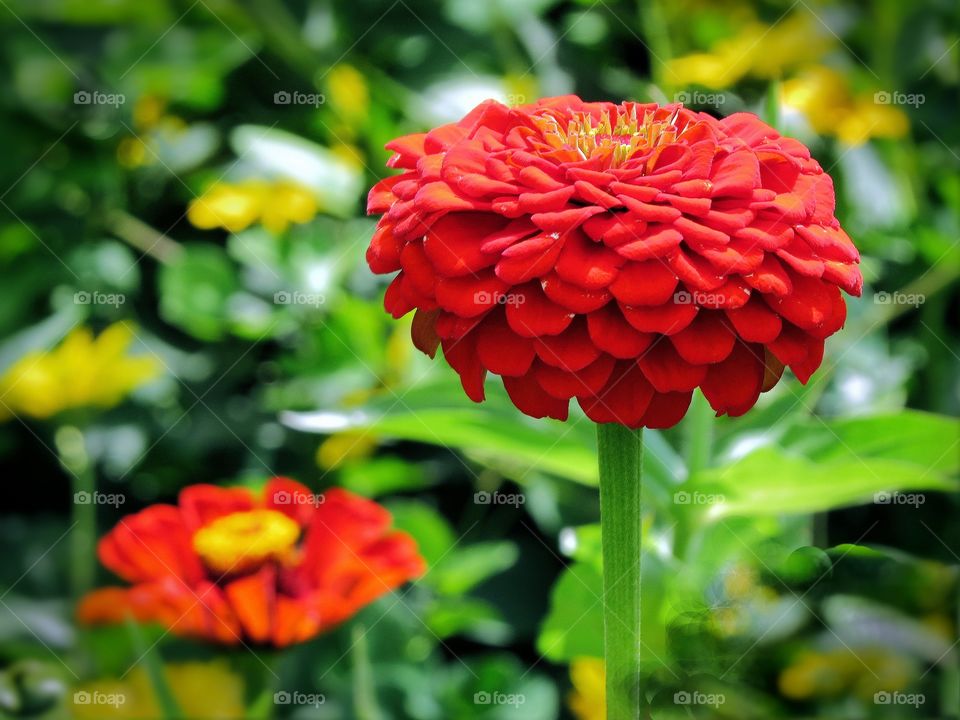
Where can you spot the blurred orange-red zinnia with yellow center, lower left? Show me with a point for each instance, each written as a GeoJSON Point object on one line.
{"type": "Point", "coordinates": [227, 566]}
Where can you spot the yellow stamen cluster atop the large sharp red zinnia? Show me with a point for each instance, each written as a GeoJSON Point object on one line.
{"type": "Point", "coordinates": [620, 138]}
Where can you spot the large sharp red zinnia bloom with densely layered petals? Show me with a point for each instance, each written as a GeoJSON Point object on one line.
{"type": "Point", "coordinates": [619, 254]}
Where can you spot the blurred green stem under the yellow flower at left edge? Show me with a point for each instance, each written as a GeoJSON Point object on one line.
{"type": "Point", "coordinates": [72, 451]}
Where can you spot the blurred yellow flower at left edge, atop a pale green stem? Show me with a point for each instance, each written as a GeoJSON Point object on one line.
{"type": "Point", "coordinates": [81, 372]}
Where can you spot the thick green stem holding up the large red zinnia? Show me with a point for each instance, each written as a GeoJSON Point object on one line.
{"type": "Point", "coordinates": [620, 452]}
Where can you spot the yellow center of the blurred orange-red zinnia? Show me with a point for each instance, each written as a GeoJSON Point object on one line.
{"type": "Point", "coordinates": [242, 541]}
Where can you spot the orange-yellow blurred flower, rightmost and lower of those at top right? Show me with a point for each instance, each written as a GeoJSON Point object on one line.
{"type": "Point", "coordinates": [824, 97]}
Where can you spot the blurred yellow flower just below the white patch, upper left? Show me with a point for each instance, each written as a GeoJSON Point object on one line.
{"type": "Point", "coordinates": [237, 206]}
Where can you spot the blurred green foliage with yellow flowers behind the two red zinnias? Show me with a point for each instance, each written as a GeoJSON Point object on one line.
{"type": "Point", "coordinates": [189, 176]}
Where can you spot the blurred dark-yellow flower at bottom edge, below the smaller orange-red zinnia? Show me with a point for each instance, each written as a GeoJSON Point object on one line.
{"type": "Point", "coordinates": [202, 690]}
